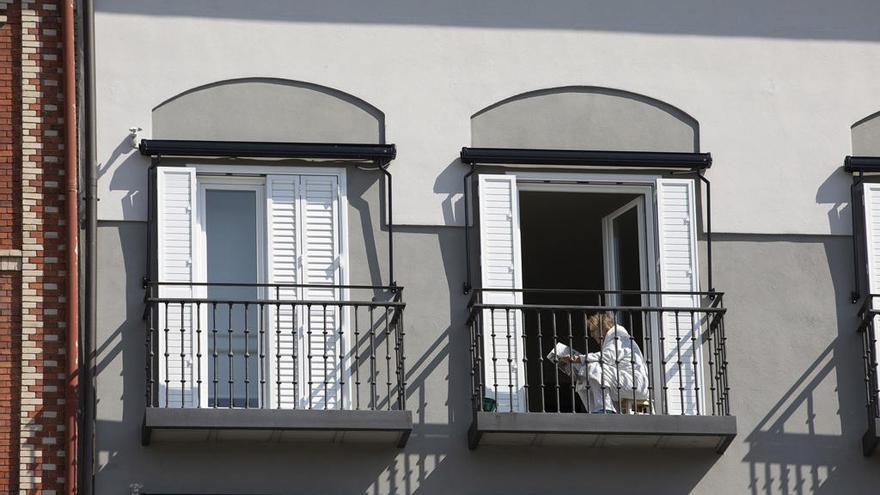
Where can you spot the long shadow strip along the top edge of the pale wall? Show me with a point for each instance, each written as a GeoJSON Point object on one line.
{"type": "Point", "coordinates": [794, 19]}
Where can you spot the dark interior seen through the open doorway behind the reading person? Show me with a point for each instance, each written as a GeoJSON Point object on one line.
{"type": "Point", "coordinates": [562, 248]}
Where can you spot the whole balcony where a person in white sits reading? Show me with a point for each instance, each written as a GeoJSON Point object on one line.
{"type": "Point", "coordinates": [659, 378]}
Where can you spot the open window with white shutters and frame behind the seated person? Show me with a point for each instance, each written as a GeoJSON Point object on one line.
{"type": "Point", "coordinates": [578, 246]}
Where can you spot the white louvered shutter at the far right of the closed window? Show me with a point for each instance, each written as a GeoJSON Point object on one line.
{"type": "Point", "coordinates": [322, 335]}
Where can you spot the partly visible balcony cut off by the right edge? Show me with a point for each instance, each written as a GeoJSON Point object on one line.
{"type": "Point", "coordinates": [868, 332]}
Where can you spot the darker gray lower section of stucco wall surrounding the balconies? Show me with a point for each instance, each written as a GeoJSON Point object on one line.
{"type": "Point", "coordinates": [796, 388]}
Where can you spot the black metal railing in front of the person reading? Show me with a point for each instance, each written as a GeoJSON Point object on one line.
{"type": "Point", "coordinates": [649, 353]}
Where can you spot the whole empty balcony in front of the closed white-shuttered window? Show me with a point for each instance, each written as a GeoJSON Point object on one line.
{"type": "Point", "coordinates": [263, 362]}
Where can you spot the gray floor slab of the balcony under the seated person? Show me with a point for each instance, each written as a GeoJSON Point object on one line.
{"type": "Point", "coordinates": [602, 430]}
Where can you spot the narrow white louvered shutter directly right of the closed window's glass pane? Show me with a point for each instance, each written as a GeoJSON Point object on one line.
{"type": "Point", "coordinates": [283, 258]}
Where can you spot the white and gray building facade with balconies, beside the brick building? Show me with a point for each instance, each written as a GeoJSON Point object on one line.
{"type": "Point", "coordinates": [337, 243]}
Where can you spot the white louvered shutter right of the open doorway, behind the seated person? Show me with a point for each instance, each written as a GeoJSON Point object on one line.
{"type": "Point", "coordinates": [680, 344]}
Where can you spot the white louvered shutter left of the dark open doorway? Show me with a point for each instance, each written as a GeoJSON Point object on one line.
{"type": "Point", "coordinates": [501, 268]}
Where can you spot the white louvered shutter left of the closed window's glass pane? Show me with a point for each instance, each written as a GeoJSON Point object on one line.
{"type": "Point", "coordinates": [175, 241]}
